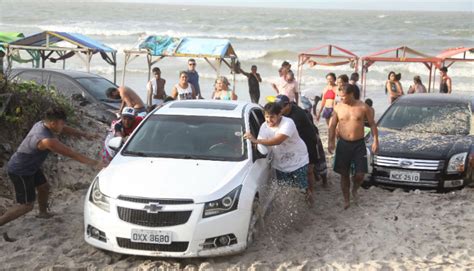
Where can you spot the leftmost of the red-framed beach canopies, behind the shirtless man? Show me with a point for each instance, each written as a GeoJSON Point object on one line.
{"type": "Point", "coordinates": [326, 55]}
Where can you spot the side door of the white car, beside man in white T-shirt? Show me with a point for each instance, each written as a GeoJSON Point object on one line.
{"type": "Point", "coordinates": [261, 166]}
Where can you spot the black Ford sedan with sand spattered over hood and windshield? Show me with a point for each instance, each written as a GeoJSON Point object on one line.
{"type": "Point", "coordinates": [425, 142]}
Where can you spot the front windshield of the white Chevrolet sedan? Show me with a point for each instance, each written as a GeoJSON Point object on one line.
{"type": "Point", "coordinates": [189, 137]}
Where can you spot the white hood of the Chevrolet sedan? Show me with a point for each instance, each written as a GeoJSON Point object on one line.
{"type": "Point", "coordinates": [200, 180]}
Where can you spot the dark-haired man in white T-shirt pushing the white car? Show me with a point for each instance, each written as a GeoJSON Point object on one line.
{"type": "Point", "coordinates": [290, 156]}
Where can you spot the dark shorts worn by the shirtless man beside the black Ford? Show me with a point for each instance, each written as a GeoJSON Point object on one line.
{"type": "Point", "coordinates": [348, 152]}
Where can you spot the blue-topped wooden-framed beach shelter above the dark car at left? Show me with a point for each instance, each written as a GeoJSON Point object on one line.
{"type": "Point", "coordinates": [45, 44]}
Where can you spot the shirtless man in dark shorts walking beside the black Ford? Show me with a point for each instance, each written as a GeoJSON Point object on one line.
{"type": "Point", "coordinates": [349, 116]}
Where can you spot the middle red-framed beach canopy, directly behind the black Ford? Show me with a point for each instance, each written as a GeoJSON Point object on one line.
{"type": "Point", "coordinates": [401, 54]}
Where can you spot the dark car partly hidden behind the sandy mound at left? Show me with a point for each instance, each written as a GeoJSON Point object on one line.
{"type": "Point", "coordinates": [88, 88]}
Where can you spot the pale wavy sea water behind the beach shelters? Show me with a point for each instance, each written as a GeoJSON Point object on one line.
{"type": "Point", "coordinates": [261, 36]}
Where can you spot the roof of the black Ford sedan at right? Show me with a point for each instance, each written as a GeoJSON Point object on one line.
{"type": "Point", "coordinates": [437, 98]}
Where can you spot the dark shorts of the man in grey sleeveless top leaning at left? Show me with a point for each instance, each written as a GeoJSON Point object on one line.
{"type": "Point", "coordinates": [25, 186]}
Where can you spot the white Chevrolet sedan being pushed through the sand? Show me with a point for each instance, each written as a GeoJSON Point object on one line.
{"type": "Point", "coordinates": [185, 184]}
